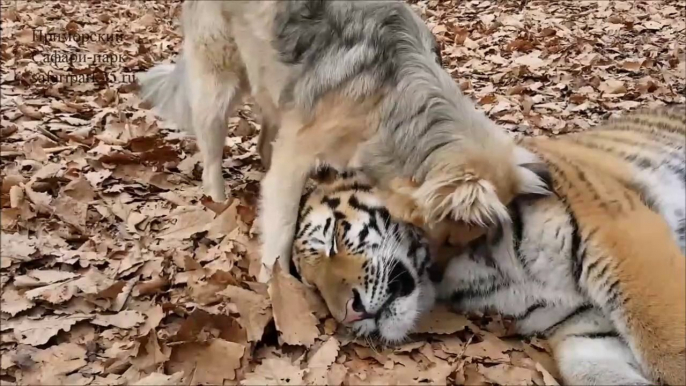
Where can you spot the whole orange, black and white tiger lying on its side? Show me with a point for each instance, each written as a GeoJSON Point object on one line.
{"type": "Point", "coordinates": [597, 268]}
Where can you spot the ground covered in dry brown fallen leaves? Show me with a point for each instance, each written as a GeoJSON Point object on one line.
{"type": "Point", "coordinates": [116, 270]}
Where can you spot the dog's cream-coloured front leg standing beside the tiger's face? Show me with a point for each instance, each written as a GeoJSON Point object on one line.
{"type": "Point", "coordinates": [281, 190]}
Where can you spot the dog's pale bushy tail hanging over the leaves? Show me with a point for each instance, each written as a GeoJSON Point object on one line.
{"type": "Point", "coordinates": [165, 86]}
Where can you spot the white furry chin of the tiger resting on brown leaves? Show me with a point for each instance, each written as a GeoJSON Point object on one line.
{"type": "Point", "coordinates": [396, 322]}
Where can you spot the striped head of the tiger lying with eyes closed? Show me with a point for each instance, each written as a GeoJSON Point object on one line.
{"type": "Point", "coordinates": [372, 271]}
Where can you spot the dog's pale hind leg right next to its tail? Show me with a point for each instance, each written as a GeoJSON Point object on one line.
{"type": "Point", "coordinates": [213, 98]}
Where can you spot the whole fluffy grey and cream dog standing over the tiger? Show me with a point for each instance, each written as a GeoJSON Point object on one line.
{"type": "Point", "coordinates": [346, 83]}
